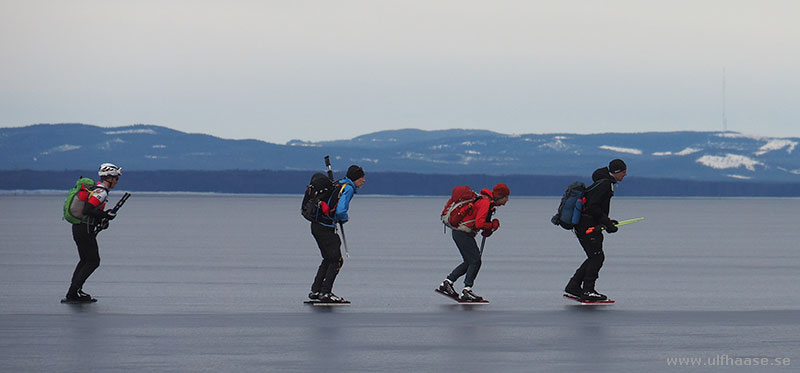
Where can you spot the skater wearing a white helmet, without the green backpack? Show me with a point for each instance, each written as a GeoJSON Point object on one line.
{"type": "Point", "coordinates": [84, 233]}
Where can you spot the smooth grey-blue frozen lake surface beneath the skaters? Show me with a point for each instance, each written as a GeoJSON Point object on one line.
{"type": "Point", "coordinates": [216, 283]}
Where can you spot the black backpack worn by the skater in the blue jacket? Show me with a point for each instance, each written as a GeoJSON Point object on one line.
{"type": "Point", "coordinates": [321, 191]}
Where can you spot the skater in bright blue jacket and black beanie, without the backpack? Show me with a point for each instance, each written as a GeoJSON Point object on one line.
{"type": "Point", "coordinates": [329, 242]}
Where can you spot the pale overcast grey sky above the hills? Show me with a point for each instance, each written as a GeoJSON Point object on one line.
{"type": "Point", "coordinates": [324, 70]}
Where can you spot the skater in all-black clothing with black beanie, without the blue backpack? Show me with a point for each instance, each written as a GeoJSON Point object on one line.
{"type": "Point", "coordinates": [598, 201]}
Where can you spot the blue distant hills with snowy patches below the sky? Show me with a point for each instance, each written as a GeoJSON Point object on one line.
{"type": "Point", "coordinates": [701, 156]}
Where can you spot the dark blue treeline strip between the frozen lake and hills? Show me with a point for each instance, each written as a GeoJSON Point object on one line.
{"type": "Point", "coordinates": [390, 183]}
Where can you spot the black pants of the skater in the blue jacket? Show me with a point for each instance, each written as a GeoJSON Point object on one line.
{"type": "Point", "coordinates": [329, 246]}
